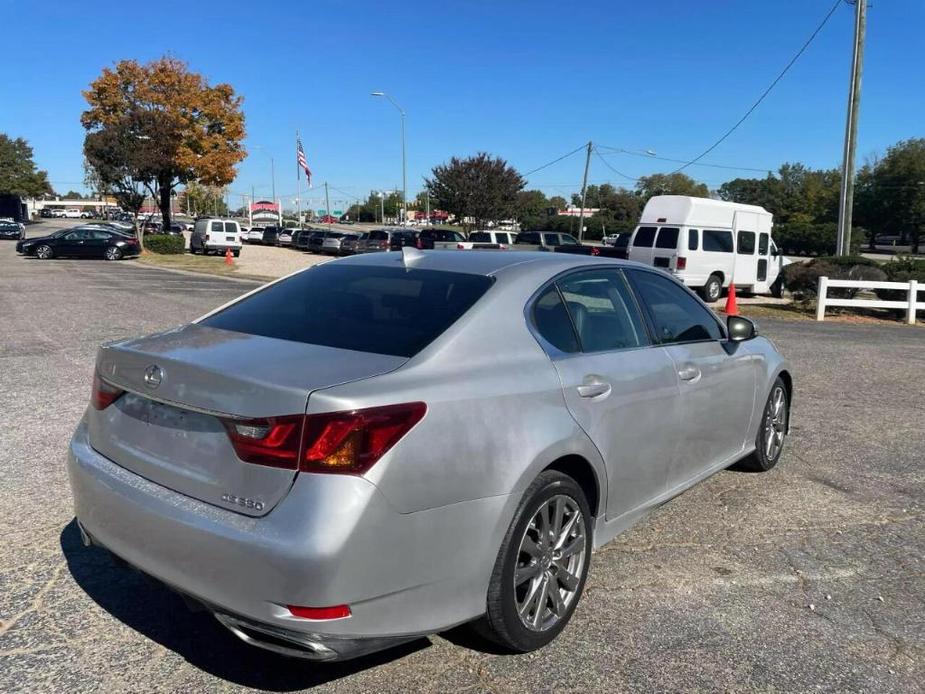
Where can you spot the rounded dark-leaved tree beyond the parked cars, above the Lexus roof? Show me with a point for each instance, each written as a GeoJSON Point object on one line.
{"type": "Point", "coordinates": [482, 188]}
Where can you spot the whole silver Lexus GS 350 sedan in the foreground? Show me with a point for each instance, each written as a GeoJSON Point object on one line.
{"type": "Point", "coordinates": [425, 439]}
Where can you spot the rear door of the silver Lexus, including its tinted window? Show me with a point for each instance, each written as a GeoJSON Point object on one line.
{"type": "Point", "coordinates": [619, 388]}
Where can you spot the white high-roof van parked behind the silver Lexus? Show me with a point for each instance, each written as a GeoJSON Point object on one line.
{"type": "Point", "coordinates": [709, 244]}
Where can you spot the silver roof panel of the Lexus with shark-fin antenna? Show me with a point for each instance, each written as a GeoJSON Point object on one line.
{"type": "Point", "coordinates": [486, 262]}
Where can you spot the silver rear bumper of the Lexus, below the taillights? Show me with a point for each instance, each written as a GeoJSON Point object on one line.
{"type": "Point", "coordinates": [333, 540]}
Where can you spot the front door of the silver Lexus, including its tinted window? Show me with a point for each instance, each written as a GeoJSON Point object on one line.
{"type": "Point", "coordinates": [716, 379]}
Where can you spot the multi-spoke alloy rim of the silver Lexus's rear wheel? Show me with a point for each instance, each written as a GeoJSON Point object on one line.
{"type": "Point", "coordinates": [550, 561]}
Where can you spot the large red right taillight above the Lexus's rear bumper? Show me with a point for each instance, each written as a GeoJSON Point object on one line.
{"type": "Point", "coordinates": [339, 442]}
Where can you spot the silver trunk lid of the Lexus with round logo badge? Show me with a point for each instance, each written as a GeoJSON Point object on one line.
{"type": "Point", "coordinates": [183, 384]}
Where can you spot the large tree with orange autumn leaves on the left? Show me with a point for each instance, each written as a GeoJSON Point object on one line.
{"type": "Point", "coordinates": [158, 126]}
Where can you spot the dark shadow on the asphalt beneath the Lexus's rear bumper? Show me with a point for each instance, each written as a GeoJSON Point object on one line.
{"type": "Point", "coordinates": [158, 613]}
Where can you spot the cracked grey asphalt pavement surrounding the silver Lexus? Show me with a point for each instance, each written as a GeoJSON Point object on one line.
{"type": "Point", "coordinates": [809, 577]}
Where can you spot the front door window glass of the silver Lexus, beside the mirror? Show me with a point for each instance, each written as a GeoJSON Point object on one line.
{"type": "Point", "coordinates": [677, 316]}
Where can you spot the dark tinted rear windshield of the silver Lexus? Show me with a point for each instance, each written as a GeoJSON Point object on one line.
{"type": "Point", "coordinates": [368, 309]}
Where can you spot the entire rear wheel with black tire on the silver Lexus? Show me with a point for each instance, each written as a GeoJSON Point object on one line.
{"type": "Point", "coordinates": [542, 565]}
